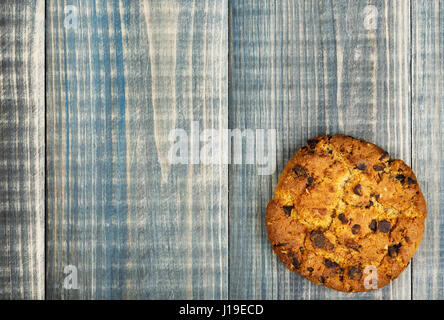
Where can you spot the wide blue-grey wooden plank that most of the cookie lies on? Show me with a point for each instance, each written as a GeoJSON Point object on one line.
{"type": "Point", "coordinates": [307, 68]}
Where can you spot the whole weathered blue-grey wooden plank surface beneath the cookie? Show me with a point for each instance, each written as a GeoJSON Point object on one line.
{"type": "Point", "coordinates": [89, 94]}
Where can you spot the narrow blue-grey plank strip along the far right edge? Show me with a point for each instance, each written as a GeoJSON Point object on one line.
{"type": "Point", "coordinates": [428, 133]}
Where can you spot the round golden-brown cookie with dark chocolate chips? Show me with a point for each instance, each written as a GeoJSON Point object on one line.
{"type": "Point", "coordinates": [345, 215]}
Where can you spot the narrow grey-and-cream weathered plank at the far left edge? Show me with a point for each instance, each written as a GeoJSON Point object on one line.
{"type": "Point", "coordinates": [22, 150]}
